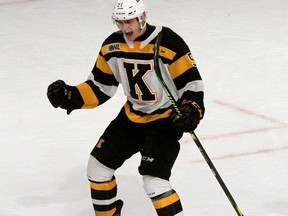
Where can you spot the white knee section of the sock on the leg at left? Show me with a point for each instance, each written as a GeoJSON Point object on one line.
{"type": "Point", "coordinates": [97, 171]}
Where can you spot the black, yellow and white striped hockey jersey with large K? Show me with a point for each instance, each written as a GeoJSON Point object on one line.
{"type": "Point", "coordinates": [130, 64]}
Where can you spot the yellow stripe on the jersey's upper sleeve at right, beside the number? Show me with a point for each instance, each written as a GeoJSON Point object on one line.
{"type": "Point", "coordinates": [180, 66]}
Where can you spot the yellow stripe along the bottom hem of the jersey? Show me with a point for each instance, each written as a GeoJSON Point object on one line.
{"type": "Point", "coordinates": [147, 118]}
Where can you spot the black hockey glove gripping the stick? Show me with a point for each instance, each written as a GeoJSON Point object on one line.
{"type": "Point", "coordinates": [190, 118]}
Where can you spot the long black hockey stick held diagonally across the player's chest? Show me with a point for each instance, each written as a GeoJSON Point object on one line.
{"type": "Point", "coordinates": [193, 135]}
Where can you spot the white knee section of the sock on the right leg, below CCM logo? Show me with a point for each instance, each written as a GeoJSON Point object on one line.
{"type": "Point", "coordinates": [155, 186]}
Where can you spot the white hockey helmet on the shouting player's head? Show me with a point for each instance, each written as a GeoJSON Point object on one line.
{"type": "Point", "coordinates": [129, 9]}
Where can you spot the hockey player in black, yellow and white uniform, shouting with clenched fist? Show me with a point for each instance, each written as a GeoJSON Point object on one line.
{"type": "Point", "coordinates": [146, 123]}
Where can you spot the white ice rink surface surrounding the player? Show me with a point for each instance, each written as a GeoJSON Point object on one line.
{"type": "Point", "coordinates": [241, 48]}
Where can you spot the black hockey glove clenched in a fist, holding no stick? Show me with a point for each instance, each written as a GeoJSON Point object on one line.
{"type": "Point", "coordinates": [59, 95]}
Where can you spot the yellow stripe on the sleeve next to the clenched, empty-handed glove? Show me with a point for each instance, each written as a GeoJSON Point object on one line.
{"type": "Point", "coordinates": [89, 98]}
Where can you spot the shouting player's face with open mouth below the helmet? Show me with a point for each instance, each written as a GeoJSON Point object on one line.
{"type": "Point", "coordinates": [130, 28]}
